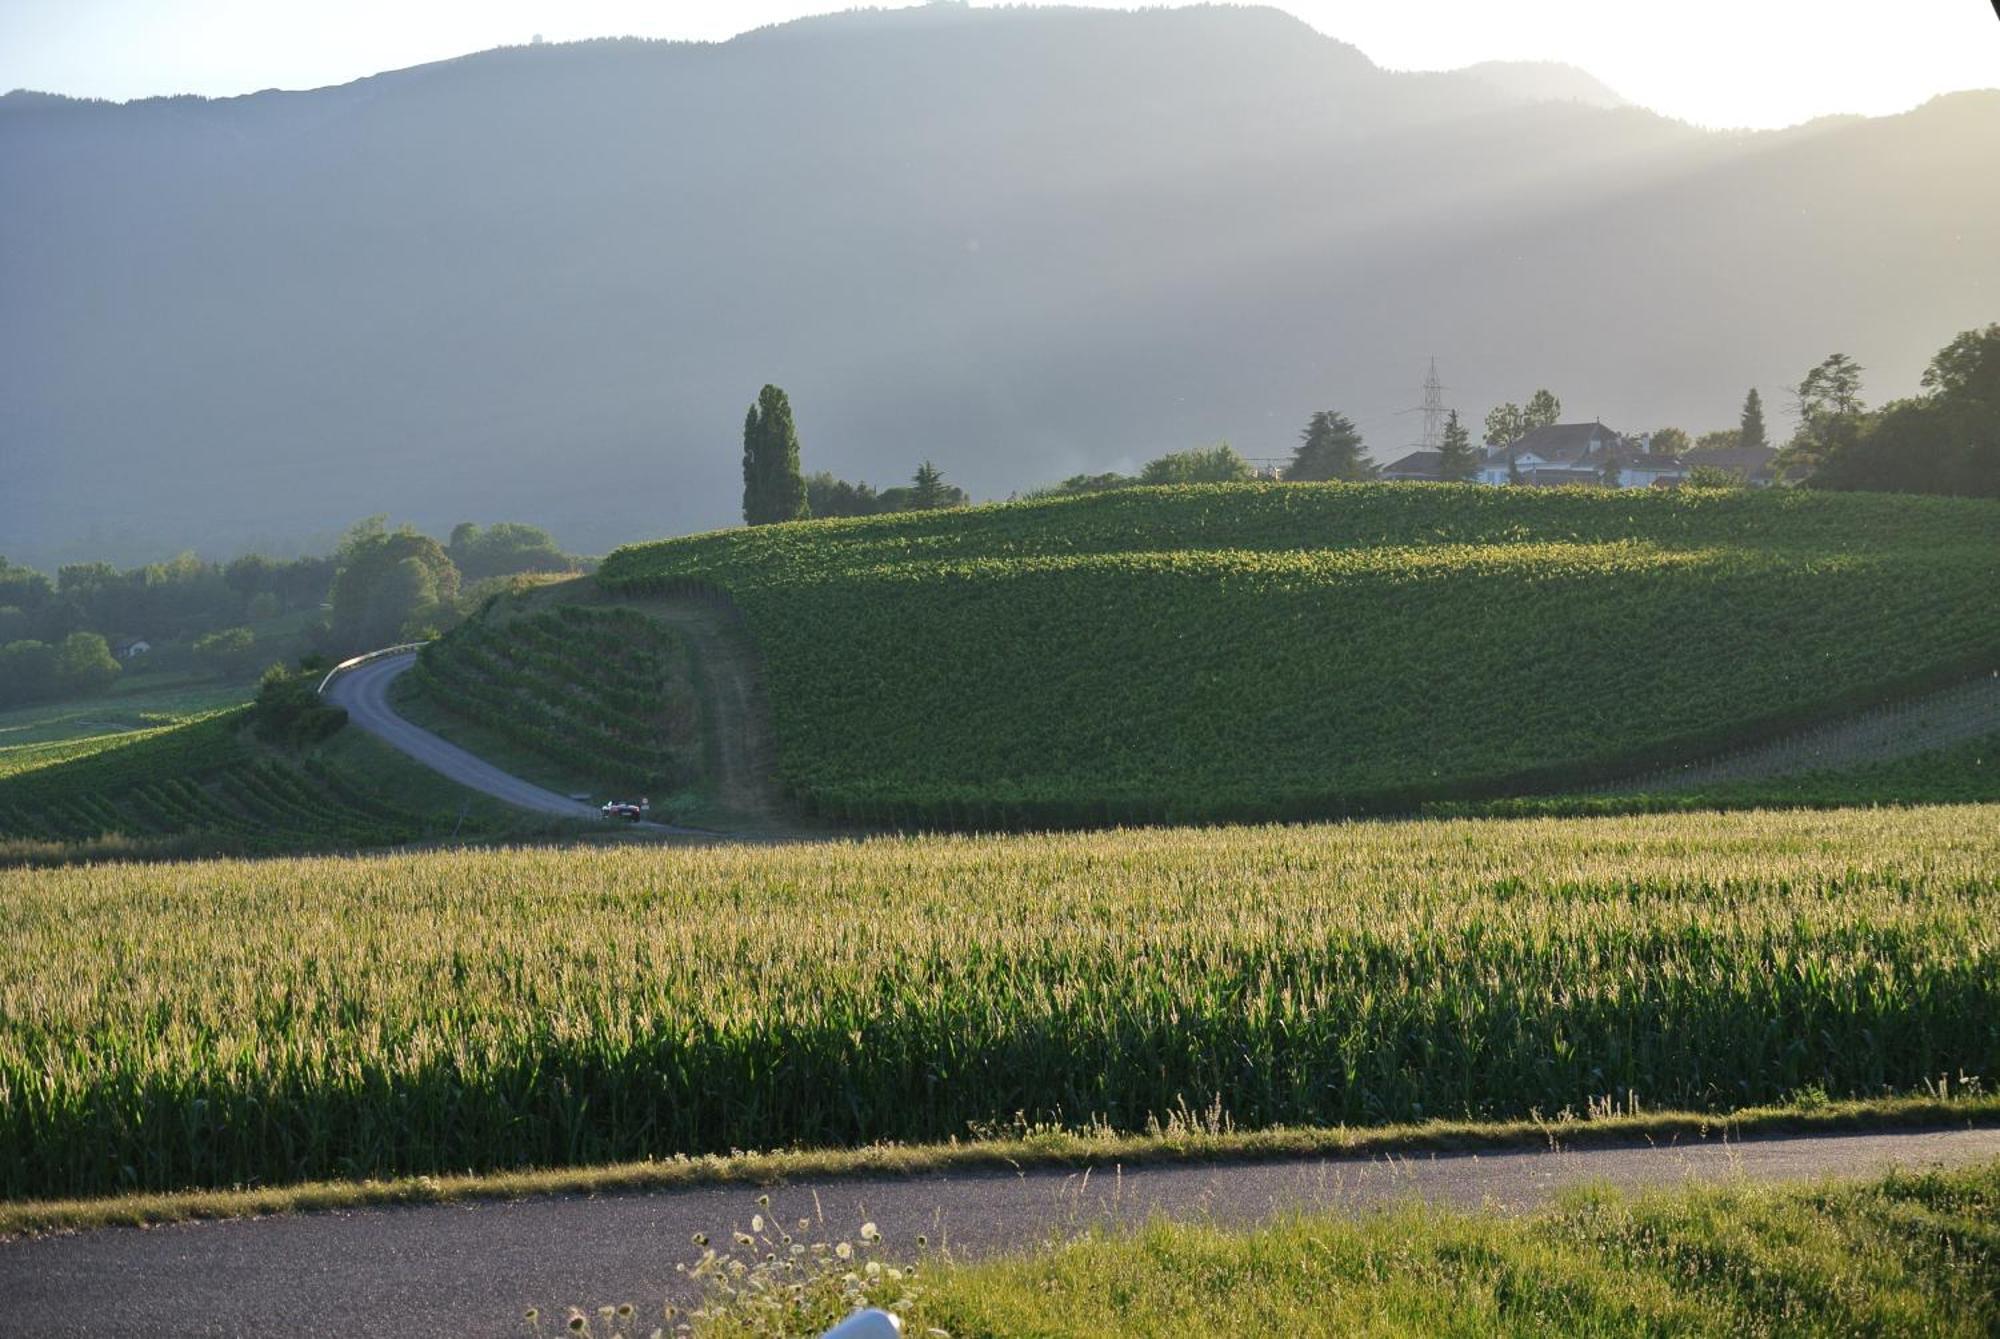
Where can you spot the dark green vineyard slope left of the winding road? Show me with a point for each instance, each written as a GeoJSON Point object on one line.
{"type": "Point", "coordinates": [203, 784]}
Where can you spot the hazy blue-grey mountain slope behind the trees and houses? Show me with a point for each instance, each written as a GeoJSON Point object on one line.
{"type": "Point", "coordinates": [545, 283]}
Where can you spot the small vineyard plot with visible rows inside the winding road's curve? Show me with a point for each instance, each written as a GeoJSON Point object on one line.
{"type": "Point", "coordinates": [603, 696]}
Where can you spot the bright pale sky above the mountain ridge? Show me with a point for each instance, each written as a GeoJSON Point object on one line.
{"type": "Point", "coordinates": [1717, 63]}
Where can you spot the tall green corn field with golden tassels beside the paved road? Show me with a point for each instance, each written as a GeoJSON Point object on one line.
{"type": "Point", "coordinates": [259, 1022]}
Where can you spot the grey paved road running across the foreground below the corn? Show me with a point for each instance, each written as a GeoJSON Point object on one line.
{"type": "Point", "coordinates": [471, 1270]}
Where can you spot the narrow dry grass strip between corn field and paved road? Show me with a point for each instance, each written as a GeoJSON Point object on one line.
{"type": "Point", "coordinates": [1035, 1148]}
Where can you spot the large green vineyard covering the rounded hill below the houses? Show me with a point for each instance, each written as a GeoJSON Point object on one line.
{"type": "Point", "coordinates": [1315, 651]}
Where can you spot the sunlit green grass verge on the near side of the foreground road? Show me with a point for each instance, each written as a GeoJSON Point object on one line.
{"type": "Point", "coordinates": [1897, 1256]}
